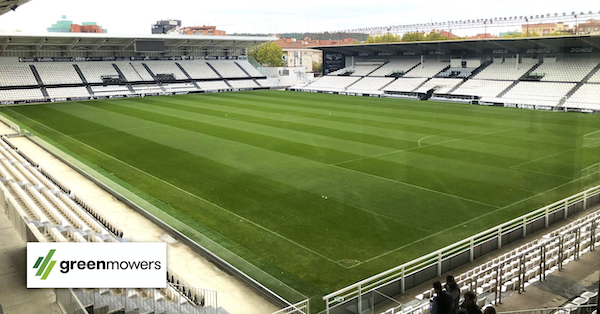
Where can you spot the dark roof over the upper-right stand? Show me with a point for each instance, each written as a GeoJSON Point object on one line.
{"type": "Point", "coordinates": [512, 45]}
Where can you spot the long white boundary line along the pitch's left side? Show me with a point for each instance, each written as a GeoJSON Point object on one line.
{"type": "Point", "coordinates": [189, 193]}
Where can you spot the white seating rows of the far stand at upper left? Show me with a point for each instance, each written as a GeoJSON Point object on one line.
{"type": "Point", "coordinates": [53, 74]}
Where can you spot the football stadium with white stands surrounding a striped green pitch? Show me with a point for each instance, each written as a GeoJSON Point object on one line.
{"type": "Point", "coordinates": [404, 163]}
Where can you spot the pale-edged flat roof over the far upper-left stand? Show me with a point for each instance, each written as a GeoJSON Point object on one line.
{"type": "Point", "coordinates": [72, 42]}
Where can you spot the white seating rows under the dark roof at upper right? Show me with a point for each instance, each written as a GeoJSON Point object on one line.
{"type": "Point", "coordinates": [501, 81]}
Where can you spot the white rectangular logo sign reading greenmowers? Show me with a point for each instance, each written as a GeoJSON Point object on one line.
{"type": "Point", "coordinates": [97, 265]}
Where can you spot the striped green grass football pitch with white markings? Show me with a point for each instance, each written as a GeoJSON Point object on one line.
{"type": "Point", "coordinates": [319, 190]}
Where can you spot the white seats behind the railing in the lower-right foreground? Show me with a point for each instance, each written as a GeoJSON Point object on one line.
{"type": "Point", "coordinates": [519, 267]}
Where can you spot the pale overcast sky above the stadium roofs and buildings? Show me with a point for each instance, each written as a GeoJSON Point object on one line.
{"type": "Point", "coordinates": [135, 17]}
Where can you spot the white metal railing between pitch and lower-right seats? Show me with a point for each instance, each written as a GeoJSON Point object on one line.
{"type": "Point", "coordinates": [495, 237]}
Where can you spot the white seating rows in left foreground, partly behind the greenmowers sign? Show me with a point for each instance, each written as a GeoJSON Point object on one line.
{"type": "Point", "coordinates": [52, 215]}
